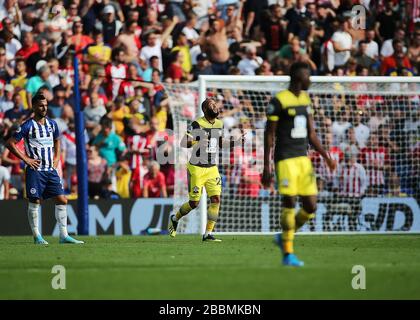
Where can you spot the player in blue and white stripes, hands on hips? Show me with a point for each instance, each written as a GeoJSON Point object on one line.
{"type": "Point", "coordinates": [41, 156]}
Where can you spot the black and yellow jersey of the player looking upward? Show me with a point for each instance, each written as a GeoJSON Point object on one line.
{"type": "Point", "coordinates": [214, 133]}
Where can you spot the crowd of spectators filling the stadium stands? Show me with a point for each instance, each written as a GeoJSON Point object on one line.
{"type": "Point", "coordinates": [128, 49]}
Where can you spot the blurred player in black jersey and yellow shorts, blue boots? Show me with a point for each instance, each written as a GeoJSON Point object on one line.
{"type": "Point", "coordinates": [290, 123]}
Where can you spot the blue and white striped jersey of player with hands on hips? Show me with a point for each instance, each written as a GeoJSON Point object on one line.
{"type": "Point", "coordinates": [39, 141]}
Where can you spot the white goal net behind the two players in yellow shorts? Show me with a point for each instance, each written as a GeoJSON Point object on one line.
{"type": "Point", "coordinates": [370, 125]}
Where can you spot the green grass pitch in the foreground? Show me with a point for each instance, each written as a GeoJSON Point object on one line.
{"type": "Point", "coordinates": [241, 267]}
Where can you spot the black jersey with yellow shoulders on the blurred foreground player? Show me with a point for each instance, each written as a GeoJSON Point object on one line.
{"type": "Point", "coordinates": [291, 113]}
